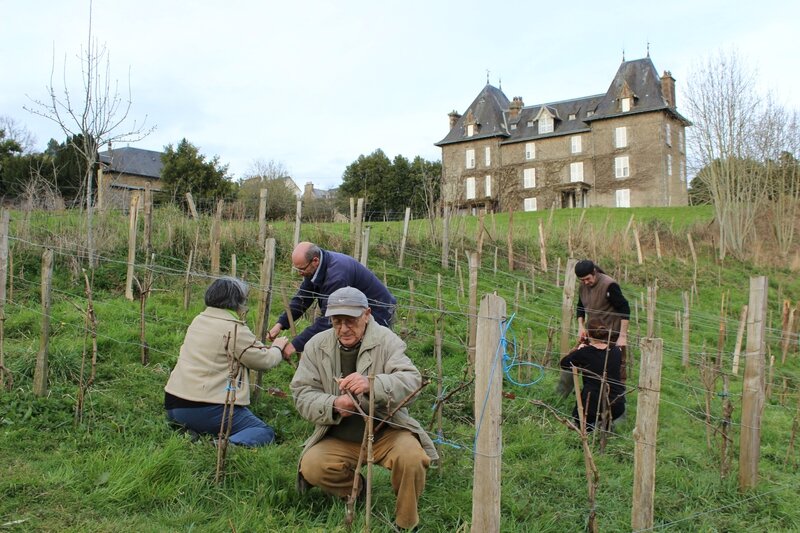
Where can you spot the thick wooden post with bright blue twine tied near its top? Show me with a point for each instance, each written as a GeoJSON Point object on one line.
{"type": "Point", "coordinates": [488, 414]}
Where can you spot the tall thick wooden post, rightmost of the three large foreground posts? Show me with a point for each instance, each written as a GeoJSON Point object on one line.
{"type": "Point", "coordinates": [753, 384]}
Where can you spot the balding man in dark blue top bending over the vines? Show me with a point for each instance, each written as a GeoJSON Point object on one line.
{"type": "Point", "coordinates": [323, 272]}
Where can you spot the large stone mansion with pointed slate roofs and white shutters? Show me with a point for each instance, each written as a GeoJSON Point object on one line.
{"type": "Point", "coordinates": [622, 148]}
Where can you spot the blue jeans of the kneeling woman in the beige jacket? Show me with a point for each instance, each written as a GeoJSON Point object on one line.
{"type": "Point", "coordinates": [247, 430]}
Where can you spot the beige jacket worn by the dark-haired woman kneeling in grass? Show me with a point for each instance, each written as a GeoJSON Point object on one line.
{"type": "Point", "coordinates": [201, 373]}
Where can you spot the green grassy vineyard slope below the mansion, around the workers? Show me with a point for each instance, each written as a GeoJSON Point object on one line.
{"type": "Point", "coordinates": [123, 469]}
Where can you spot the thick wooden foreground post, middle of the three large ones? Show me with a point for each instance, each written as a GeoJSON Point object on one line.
{"type": "Point", "coordinates": [645, 435]}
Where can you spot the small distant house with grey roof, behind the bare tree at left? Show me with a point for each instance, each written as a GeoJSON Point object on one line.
{"type": "Point", "coordinates": [124, 172]}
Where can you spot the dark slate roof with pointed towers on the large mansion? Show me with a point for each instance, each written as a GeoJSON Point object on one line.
{"type": "Point", "coordinates": [491, 108]}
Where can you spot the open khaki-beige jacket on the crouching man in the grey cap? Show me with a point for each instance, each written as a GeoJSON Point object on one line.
{"type": "Point", "coordinates": [314, 386]}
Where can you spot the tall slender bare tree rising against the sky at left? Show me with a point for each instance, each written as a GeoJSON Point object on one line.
{"type": "Point", "coordinates": [92, 116]}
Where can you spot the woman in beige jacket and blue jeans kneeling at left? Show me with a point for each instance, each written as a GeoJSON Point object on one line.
{"type": "Point", "coordinates": [214, 360]}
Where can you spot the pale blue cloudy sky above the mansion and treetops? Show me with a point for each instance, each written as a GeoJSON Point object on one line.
{"type": "Point", "coordinates": [313, 85]}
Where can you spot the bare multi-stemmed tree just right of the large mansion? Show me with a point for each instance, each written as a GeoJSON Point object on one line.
{"type": "Point", "coordinates": [736, 140]}
